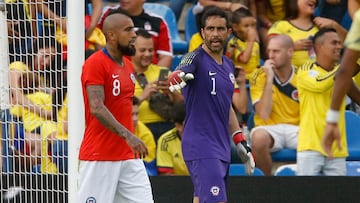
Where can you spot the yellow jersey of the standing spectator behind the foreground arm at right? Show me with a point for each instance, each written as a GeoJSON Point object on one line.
{"type": "Point", "coordinates": [315, 86]}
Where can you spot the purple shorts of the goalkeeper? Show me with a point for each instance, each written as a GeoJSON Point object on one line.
{"type": "Point", "coordinates": [209, 177]}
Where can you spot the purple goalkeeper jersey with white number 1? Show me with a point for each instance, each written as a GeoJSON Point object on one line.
{"type": "Point", "coordinates": [208, 100]}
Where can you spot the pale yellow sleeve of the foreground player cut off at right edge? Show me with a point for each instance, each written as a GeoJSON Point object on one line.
{"type": "Point", "coordinates": [352, 40]}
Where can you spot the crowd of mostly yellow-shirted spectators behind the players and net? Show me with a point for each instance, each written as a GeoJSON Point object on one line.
{"type": "Point", "coordinates": [273, 46]}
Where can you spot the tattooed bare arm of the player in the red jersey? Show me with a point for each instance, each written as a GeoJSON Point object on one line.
{"type": "Point", "coordinates": [96, 97]}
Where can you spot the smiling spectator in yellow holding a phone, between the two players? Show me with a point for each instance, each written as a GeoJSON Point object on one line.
{"type": "Point", "coordinates": [150, 79]}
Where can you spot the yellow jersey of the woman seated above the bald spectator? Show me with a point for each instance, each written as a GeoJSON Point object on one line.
{"type": "Point", "coordinates": [285, 27]}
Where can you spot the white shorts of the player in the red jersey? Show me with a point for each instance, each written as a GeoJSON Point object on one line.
{"type": "Point", "coordinates": [114, 181]}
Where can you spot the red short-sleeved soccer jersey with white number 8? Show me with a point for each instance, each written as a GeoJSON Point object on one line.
{"type": "Point", "coordinates": [99, 143]}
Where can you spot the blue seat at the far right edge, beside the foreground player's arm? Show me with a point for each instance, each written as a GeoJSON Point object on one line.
{"type": "Point", "coordinates": [352, 134]}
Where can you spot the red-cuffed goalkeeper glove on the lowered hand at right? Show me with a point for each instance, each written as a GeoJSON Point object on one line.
{"type": "Point", "coordinates": [244, 151]}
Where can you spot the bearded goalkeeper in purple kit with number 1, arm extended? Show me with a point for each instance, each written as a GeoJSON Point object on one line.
{"type": "Point", "coordinates": [207, 78]}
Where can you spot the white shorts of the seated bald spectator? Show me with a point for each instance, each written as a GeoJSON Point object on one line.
{"type": "Point", "coordinates": [284, 135]}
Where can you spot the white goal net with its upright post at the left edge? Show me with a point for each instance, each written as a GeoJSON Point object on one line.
{"type": "Point", "coordinates": [34, 99]}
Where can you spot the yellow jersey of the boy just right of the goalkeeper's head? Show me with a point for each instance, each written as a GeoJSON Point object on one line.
{"type": "Point", "coordinates": [254, 61]}
